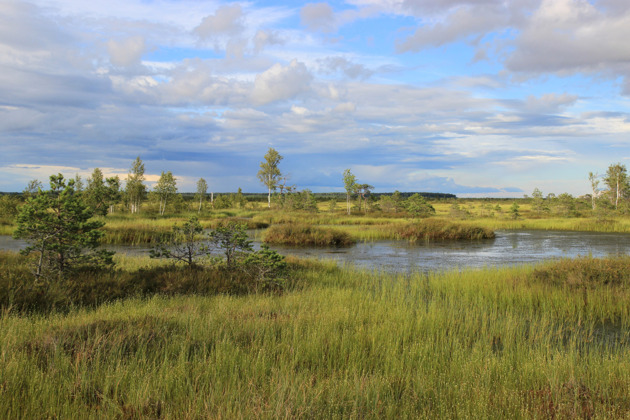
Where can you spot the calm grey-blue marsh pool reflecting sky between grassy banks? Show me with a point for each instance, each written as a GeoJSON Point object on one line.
{"type": "Point", "coordinates": [508, 248]}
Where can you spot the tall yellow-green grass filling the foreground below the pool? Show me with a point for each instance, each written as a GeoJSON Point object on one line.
{"type": "Point", "coordinates": [523, 342]}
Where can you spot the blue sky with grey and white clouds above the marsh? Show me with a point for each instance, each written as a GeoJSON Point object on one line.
{"type": "Point", "coordinates": [488, 98]}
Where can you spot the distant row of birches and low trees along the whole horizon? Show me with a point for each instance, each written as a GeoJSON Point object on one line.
{"type": "Point", "coordinates": [610, 193]}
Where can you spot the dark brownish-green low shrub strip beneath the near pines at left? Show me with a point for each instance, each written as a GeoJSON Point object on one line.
{"type": "Point", "coordinates": [132, 277]}
